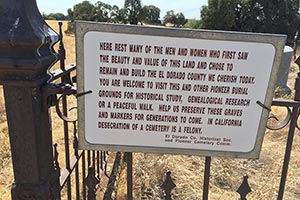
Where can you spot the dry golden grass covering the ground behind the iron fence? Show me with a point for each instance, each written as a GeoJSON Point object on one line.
{"type": "Point", "coordinates": [187, 171]}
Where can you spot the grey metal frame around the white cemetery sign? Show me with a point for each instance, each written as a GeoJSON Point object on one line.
{"type": "Point", "coordinates": [278, 41]}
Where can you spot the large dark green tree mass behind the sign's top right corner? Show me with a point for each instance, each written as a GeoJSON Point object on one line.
{"type": "Point", "coordinates": [252, 15]}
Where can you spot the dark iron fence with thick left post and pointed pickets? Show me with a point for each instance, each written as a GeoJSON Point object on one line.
{"type": "Point", "coordinates": [26, 53]}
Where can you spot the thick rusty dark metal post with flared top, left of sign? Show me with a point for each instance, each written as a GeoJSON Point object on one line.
{"type": "Point", "coordinates": [25, 55]}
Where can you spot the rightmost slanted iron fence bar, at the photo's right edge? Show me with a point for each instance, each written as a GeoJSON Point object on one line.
{"type": "Point", "coordinates": [293, 125]}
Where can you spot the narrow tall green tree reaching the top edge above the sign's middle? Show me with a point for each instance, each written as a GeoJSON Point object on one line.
{"type": "Point", "coordinates": [134, 8]}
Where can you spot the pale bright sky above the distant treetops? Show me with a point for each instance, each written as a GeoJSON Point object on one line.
{"type": "Point", "coordinates": [190, 8]}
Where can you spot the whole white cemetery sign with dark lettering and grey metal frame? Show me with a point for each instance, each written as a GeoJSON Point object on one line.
{"type": "Point", "coordinates": [175, 91]}
